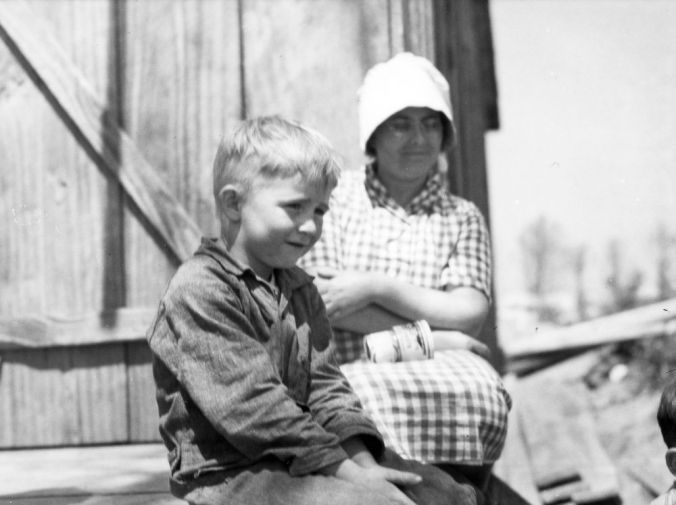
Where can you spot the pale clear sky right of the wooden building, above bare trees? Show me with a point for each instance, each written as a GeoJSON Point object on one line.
{"type": "Point", "coordinates": [587, 97]}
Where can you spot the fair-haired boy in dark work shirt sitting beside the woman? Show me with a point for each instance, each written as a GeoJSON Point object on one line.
{"type": "Point", "coordinates": [253, 407]}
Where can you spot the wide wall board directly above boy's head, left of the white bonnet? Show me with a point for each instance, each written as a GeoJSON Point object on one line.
{"type": "Point", "coordinates": [304, 59]}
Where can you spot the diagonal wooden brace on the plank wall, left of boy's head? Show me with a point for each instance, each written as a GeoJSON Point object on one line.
{"type": "Point", "coordinates": [113, 151]}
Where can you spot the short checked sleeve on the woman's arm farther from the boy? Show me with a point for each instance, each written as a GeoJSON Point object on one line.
{"type": "Point", "coordinates": [470, 263]}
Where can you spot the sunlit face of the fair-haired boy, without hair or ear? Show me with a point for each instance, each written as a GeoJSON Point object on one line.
{"type": "Point", "coordinates": [280, 220]}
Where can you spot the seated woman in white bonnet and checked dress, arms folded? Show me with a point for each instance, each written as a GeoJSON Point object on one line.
{"type": "Point", "coordinates": [397, 248]}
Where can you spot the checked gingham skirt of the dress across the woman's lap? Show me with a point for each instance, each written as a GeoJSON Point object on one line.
{"type": "Point", "coordinates": [450, 409]}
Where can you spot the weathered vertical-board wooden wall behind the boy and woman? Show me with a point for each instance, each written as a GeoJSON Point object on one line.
{"type": "Point", "coordinates": [77, 256]}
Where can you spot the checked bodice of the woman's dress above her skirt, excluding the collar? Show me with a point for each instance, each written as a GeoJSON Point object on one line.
{"type": "Point", "coordinates": [439, 240]}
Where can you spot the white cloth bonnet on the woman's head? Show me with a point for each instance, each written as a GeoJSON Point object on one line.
{"type": "Point", "coordinates": [406, 80]}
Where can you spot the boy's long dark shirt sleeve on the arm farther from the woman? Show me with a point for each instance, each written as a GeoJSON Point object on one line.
{"type": "Point", "coordinates": [207, 344]}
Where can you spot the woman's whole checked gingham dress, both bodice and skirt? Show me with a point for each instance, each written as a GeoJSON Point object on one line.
{"type": "Point", "coordinates": [449, 409]}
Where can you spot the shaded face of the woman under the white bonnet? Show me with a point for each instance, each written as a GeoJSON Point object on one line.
{"type": "Point", "coordinates": [407, 145]}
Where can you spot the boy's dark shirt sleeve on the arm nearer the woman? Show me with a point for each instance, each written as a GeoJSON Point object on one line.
{"type": "Point", "coordinates": [332, 400]}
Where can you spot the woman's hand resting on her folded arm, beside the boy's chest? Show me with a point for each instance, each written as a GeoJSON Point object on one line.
{"type": "Point", "coordinates": [344, 292]}
